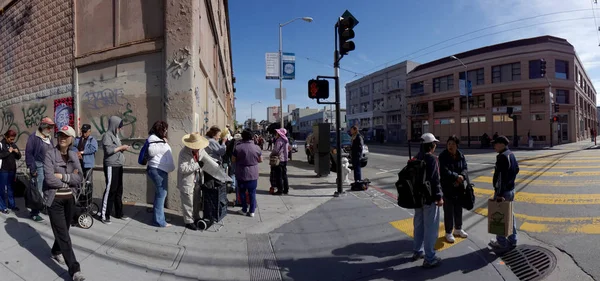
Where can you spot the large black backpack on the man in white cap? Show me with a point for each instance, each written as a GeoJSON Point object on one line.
{"type": "Point", "coordinates": [412, 186]}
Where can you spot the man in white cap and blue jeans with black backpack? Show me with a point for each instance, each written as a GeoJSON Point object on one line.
{"type": "Point", "coordinates": [426, 221]}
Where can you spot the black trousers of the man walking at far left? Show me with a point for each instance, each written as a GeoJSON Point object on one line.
{"type": "Point", "coordinates": [61, 213]}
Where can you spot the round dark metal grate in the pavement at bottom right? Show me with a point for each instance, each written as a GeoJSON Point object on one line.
{"type": "Point", "coordinates": [530, 263]}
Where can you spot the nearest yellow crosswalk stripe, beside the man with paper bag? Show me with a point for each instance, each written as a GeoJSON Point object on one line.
{"type": "Point", "coordinates": [582, 225]}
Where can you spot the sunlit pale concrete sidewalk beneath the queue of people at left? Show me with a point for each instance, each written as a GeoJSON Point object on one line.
{"type": "Point", "coordinates": [134, 250]}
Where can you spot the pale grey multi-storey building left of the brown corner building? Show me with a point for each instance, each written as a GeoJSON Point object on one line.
{"type": "Point", "coordinates": [376, 103]}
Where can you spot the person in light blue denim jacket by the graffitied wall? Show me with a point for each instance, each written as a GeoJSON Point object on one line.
{"type": "Point", "coordinates": [86, 147]}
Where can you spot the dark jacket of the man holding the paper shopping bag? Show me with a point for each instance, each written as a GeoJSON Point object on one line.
{"type": "Point", "coordinates": [505, 172]}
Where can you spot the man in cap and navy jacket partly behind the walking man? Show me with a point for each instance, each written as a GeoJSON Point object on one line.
{"type": "Point", "coordinates": [35, 150]}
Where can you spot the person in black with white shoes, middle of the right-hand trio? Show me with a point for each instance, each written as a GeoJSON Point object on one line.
{"type": "Point", "coordinates": [453, 174]}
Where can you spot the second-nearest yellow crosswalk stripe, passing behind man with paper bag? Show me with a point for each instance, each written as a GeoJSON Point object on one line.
{"type": "Point", "coordinates": [546, 199]}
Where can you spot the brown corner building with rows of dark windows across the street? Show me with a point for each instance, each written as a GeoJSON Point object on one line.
{"type": "Point", "coordinates": [505, 75]}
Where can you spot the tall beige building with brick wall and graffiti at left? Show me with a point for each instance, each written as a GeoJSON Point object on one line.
{"type": "Point", "coordinates": [81, 61]}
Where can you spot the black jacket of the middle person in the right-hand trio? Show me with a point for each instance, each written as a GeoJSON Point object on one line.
{"type": "Point", "coordinates": [450, 169]}
